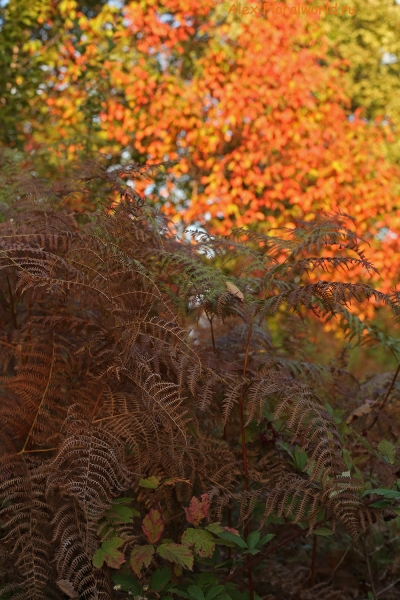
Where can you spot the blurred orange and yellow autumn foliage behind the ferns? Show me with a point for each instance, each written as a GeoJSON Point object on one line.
{"type": "Point", "coordinates": [253, 108]}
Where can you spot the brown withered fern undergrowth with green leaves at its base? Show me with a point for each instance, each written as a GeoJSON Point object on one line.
{"type": "Point", "coordinates": [155, 441]}
